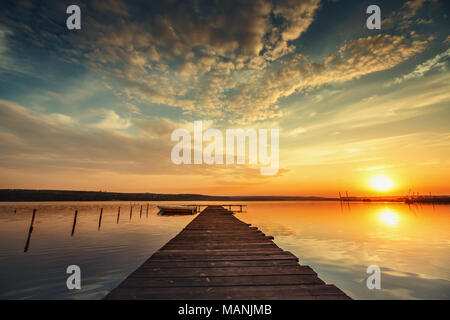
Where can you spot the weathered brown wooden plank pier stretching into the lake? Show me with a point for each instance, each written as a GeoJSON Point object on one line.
{"type": "Point", "coordinates": [217, 256]}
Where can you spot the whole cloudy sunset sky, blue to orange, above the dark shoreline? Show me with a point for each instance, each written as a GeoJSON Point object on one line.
{"type": "Point", "coordinates": [94, 109]}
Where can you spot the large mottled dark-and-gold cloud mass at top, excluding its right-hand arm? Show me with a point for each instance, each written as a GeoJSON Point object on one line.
{"type": "Point", "coordinates": [184, 54]}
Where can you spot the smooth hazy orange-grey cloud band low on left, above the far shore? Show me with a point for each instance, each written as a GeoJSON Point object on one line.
{"type": "Point", "coordinates": [51, 144]}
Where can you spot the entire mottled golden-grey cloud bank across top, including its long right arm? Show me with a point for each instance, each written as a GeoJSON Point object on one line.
{"type": "Point", "coordinates": [231, 60]}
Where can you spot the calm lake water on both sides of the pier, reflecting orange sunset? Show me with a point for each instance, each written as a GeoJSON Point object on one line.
{"type": "Point", "coordinates": [410, 245]}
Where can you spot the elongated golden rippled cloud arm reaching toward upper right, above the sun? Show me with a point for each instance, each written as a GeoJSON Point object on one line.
{"type": "Point", "coordinates": [297, 73]}
